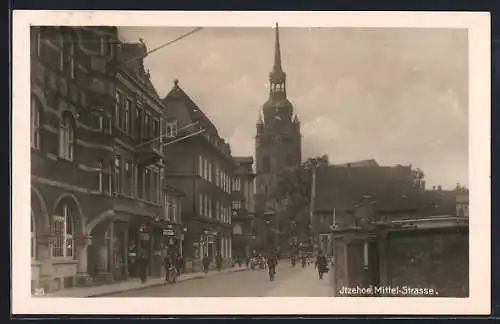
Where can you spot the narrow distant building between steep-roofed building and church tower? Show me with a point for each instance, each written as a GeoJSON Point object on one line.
{"type": "Point", "coordinates": [243, 207]}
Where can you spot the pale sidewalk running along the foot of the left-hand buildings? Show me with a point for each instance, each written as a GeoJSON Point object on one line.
{"type": "Point", "coordinates": [133, 284]}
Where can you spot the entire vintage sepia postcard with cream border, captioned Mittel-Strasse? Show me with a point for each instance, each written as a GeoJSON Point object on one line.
{"type": "Point", "coordinates": [304, 162]}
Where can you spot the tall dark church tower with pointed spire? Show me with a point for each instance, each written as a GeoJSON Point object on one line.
{"type": "Point", "coordinates": [278, 139]}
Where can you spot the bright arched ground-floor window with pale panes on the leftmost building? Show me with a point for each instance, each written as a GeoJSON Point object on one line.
{"type": "Point", "coordinates": [63, 227]}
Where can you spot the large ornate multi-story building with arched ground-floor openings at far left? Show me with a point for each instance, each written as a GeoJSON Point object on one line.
{"type": "Point", "coordinates": [96, 180]}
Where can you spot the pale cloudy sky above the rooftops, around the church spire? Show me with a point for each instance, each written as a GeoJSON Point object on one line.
{"type": "Point", "coordinates": [397, 95]}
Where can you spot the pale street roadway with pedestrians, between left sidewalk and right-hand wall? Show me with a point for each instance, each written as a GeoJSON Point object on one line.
{"type": "Point", "coordinates": [289, 282]}
